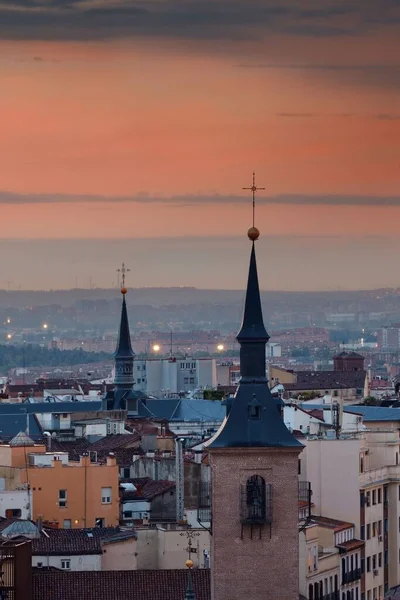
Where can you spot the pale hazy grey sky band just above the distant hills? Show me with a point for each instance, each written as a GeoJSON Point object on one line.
{"type": "Point", "coordinates": [335, 263]}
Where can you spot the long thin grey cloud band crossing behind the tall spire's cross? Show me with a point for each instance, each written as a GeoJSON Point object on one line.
{"type": "Point", "coordinates": [7, 198]}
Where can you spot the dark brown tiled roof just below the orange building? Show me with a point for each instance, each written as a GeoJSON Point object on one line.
{"type": "Point", "coordinates": [72, 542]}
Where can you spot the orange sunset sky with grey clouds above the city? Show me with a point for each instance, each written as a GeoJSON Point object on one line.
{"type": "Point", "coordinates": [128, 130]}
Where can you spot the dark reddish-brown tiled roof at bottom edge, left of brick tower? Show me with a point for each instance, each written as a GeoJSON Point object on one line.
{"type": "Point", "coordinates": [119, 585]}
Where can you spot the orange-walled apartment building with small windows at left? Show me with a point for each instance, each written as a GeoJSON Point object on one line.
{"type": "Point", "coordinates": [70, 494]}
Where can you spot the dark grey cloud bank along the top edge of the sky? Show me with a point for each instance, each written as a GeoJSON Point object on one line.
{"type": "Point", "coordinates": [192, 19]}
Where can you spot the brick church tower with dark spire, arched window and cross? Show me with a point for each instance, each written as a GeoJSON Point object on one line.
{"type": "Point", "coordinates": [254, 473]}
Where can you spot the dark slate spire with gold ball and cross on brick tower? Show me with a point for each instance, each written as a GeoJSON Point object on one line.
{"type": "Point", "coordinates": [253, 416]}
